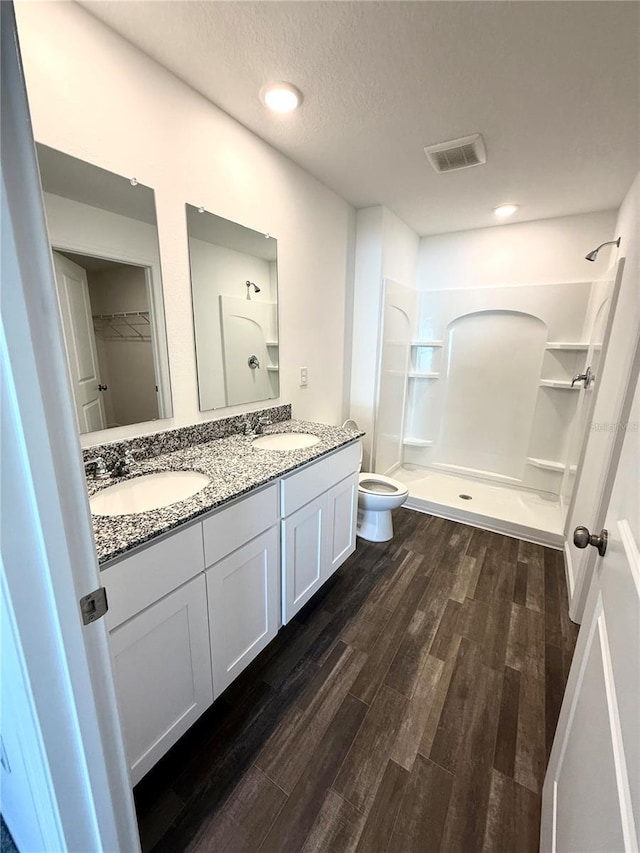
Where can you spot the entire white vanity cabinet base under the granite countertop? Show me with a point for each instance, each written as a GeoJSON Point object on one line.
{"type": "Point", "coordinates": [188, 613]}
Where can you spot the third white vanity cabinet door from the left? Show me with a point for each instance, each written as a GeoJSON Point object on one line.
{"type": "Point", "coordinates": [303, 555]}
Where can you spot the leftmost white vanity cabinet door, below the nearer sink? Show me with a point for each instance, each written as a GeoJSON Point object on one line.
{"type": "Point", "coordinates": [162, 668]}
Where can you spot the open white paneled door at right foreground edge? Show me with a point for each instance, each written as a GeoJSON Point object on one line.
{"type": "Point", "coordinates": [591, 794]}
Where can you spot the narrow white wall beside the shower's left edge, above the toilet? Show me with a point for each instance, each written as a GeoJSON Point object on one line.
{"type": "Point", "coordinates": [385, 248]}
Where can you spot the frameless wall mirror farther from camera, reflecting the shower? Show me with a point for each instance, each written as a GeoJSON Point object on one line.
{"type": "Point", "coordinates": [234, 285]}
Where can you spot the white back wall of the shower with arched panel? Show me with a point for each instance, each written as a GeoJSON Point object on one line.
{"type": "Point", "coordinates": [489, 386]}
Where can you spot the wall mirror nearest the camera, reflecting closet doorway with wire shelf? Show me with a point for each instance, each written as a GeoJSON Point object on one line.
{"type": "Point", "coordinates": [104, 237]}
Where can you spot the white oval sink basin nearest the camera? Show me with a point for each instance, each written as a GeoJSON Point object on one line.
{"type": "Point", "coordinates": [149, 491]}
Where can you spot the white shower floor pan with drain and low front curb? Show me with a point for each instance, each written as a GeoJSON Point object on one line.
{"type": "Point", "coordinates": [504, 509]}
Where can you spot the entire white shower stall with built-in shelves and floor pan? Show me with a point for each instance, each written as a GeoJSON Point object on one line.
{"type": "Point", "coordinates": [479, 411]}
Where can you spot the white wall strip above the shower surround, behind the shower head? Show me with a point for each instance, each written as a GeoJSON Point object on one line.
{"type": "Point", "coordinates": [546, 250]}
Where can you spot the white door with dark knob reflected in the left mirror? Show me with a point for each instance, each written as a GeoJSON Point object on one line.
{"type": "Point", "coordinates": [80, 342]}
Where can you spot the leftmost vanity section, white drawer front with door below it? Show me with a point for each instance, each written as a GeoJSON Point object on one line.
{"type": "Point", "coordinates": [159, 633]}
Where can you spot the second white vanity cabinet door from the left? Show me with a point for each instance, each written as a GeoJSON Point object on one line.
{"type": "Point", "coordinates": [243, 595]}
